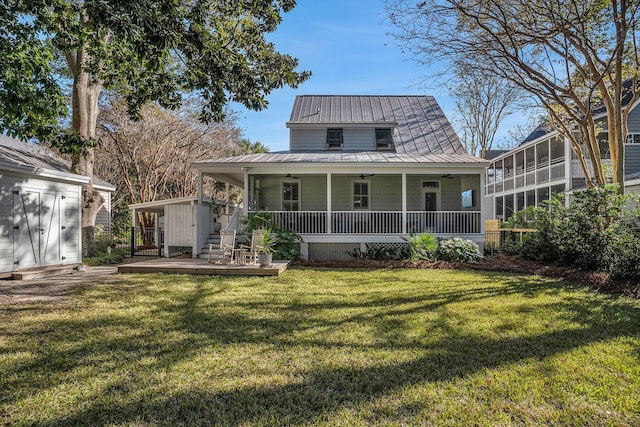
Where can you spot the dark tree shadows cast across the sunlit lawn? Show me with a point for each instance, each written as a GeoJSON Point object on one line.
{"type": "Point", "coordinates": [193, 321]}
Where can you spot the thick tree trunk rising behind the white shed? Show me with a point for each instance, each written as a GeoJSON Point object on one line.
{"type": "Point", "coordinates": [86, 91]}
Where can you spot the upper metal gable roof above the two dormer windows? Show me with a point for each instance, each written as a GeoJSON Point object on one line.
{"type": "Point", "coordinates": [421, 126]}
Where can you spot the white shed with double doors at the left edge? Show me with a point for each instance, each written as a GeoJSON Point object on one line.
{"type": "Point", "coordinates": [40, 206]}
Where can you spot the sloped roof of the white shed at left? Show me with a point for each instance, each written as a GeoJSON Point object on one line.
{"type": "Point", "coordinates": [37, 159]}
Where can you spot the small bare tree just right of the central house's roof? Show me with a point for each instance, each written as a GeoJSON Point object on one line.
{"type": "Point", "coordinates": [483, 101]}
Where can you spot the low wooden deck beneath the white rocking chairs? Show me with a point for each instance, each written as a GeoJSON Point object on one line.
{"type": "Point", "coordinates": [201, 266]}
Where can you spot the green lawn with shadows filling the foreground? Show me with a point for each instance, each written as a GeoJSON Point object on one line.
{"type": "Point", "coordinates": [323, 347]}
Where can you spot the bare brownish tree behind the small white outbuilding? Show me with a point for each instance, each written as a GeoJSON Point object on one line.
{"type": "Point", "coordinates": [151, 158]}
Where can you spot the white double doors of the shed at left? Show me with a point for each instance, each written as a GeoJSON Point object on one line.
{"type": "Point", "coordinates": [37, 228]}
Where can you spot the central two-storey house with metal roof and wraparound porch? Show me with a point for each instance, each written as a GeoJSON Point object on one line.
{"type": "Point", "coordinates": [360, 169]}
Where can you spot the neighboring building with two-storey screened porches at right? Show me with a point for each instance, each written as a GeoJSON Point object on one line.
{"type": "Point", "coordinates": [545, 164]}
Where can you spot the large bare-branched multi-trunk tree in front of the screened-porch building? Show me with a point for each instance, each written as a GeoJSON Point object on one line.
{"type": "Point", "coordinates": [571, 56]}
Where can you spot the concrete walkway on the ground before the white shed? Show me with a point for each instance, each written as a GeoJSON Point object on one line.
{"type": "Point", "coordinates": [53, 288]}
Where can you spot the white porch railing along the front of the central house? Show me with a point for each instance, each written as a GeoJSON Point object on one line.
{"type": "Point", "coordinates": [378, 222]}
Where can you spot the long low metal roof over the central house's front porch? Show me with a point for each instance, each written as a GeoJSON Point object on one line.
{"type": "Point", "coordinates": [378, 157]}
